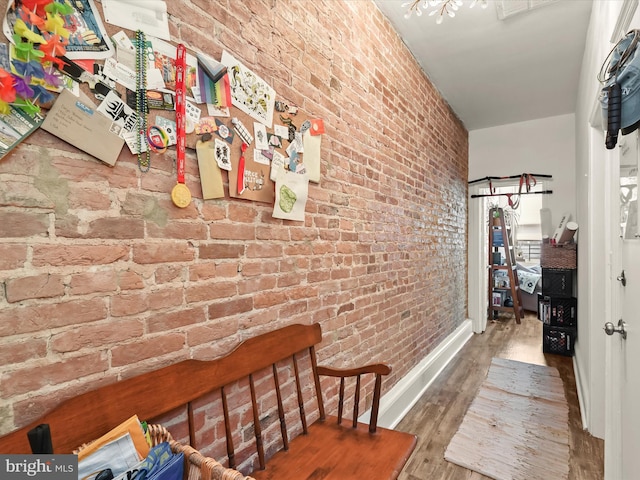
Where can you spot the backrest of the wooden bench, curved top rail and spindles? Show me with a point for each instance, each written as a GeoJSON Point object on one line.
{"type": "Point", "coordinates": [150, 395]}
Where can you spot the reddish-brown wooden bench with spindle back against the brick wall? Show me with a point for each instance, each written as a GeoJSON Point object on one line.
{"type": "Point", "coordinates": [326, 448]}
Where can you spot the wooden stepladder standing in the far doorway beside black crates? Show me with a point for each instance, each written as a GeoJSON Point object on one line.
{"type": "Point", "coordinates": [497, 292]}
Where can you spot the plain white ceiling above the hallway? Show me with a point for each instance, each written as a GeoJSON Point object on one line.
{"type": "Point", "coordinates": [494, 72]}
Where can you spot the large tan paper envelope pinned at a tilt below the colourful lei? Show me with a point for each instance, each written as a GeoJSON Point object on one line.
{"type": "Point", "coordinates": [79, 123]}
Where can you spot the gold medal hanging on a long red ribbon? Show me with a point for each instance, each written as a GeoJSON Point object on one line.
{"type": "Point", "coordinates": [180, 195]}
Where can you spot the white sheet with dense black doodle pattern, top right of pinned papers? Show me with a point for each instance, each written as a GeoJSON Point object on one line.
{"type": "Point", "coordinates": [249, 92]}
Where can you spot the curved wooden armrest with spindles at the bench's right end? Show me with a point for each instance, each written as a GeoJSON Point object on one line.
{"type": "Point", "coordinates": [378, 369]}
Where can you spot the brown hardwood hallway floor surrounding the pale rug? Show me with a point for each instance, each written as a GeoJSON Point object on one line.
{"type": "Point", "coordinates": [437, 415]}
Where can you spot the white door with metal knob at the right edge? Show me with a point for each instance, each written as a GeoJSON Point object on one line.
{"type": "Point", "coordinates": [622, 436]}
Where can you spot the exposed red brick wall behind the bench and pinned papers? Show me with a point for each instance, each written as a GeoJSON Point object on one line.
{"type": "Point", "coordinates": [103, 278]}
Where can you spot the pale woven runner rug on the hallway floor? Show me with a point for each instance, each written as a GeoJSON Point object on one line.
{"type": "Point", "coordinates": [517, 427]}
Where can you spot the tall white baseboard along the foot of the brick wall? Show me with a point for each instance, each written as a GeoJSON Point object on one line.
{"type": "Point", "coordinates": [396, 403]}
